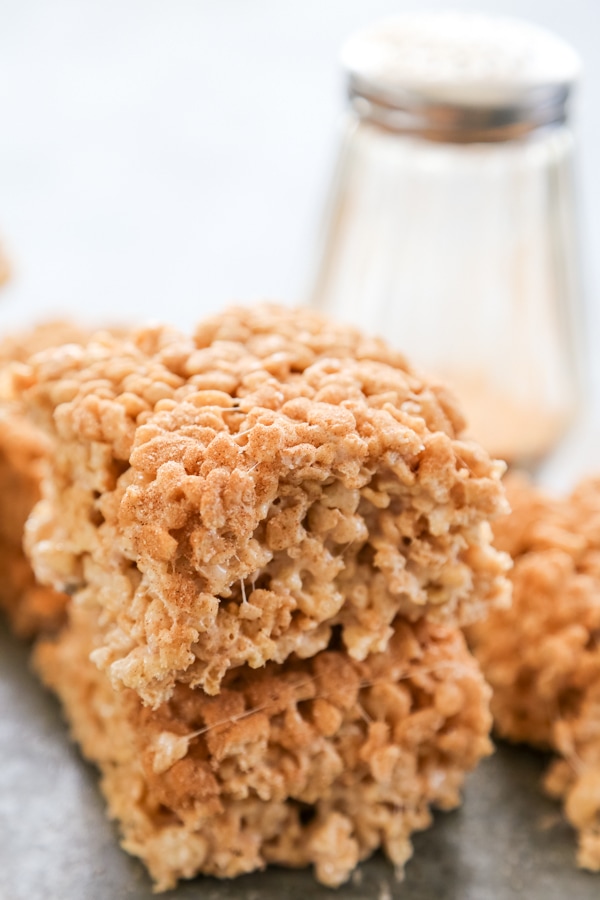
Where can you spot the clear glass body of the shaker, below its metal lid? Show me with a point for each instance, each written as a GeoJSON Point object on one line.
{"type": "Point", "coordinates": [463, 255]}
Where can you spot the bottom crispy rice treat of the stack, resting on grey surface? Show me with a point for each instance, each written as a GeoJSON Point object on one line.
{"type": "Point", "coordinates": [311, 762]}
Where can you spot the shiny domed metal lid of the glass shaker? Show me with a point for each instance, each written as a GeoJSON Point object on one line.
{"type": "Point", "coordinates": [460, 76]}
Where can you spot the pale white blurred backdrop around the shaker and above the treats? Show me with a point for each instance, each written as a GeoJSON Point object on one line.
{"type": "Point", "coordinates": [162, 157]}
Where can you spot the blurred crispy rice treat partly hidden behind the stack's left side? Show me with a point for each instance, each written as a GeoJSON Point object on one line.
{"type": "Point", "coordinates": [23, 448]}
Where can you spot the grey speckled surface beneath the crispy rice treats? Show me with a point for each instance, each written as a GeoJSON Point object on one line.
{"type": "Point", "coordinates": [508, 841]}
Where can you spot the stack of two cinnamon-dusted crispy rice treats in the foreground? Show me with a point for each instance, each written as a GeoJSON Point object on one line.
{"type": "Point", "coordinates": [271, 533]}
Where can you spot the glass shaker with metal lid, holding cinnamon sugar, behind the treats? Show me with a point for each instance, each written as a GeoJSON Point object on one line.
{"type": "Point", "coordinates": [451, 230]}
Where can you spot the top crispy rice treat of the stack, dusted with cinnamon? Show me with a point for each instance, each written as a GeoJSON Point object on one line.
{"type": "Point", "coordinates": [229, 498]}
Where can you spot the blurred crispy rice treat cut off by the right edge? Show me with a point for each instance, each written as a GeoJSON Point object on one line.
{"type": "Point", "coordinates": [542, 656]}
